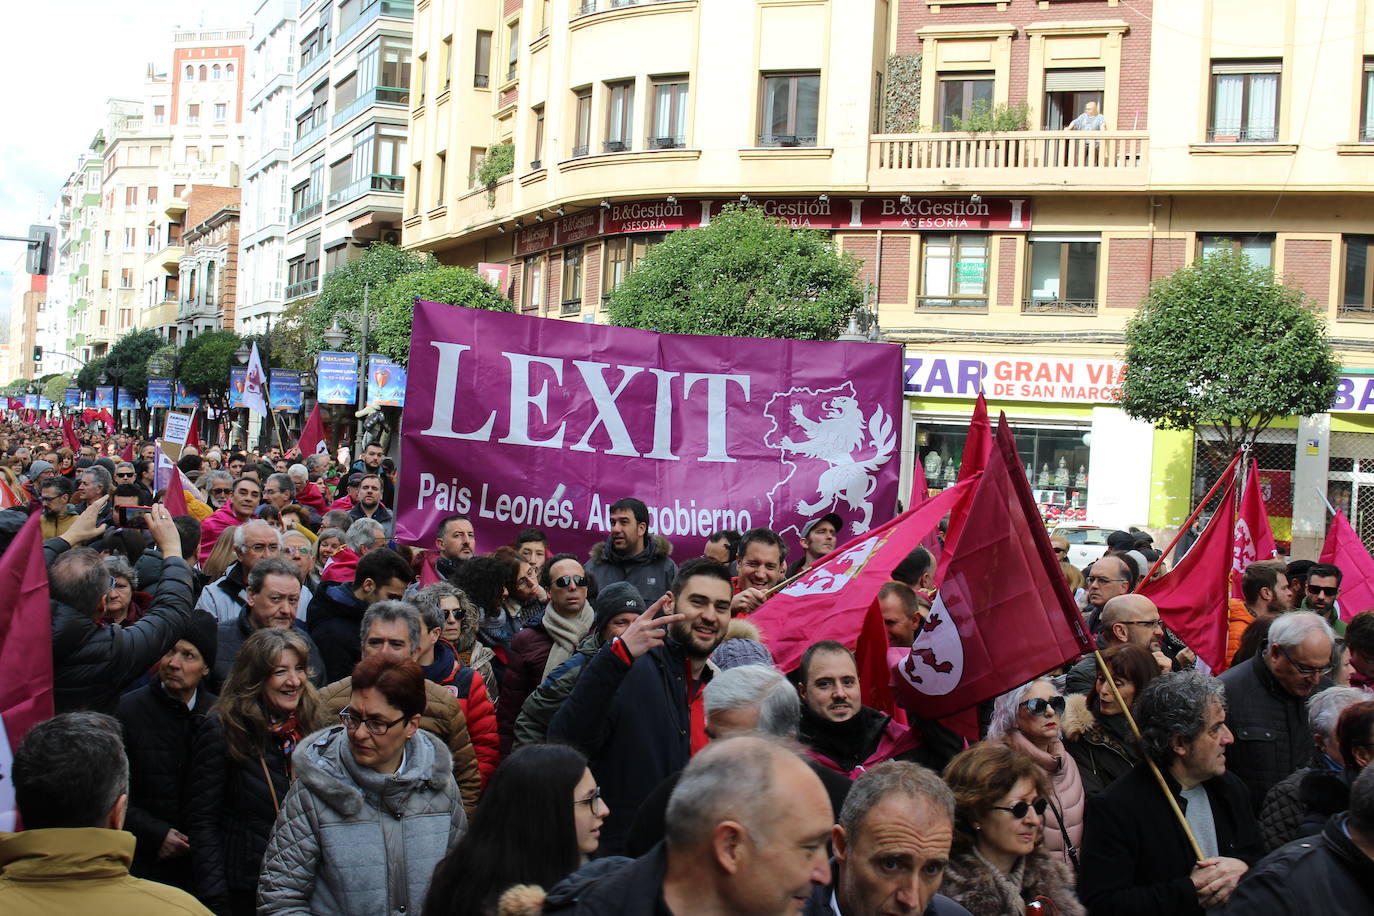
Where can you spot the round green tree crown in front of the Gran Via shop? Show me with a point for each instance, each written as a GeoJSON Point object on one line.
{"type": "Point", "coordinates": [1224, 345]}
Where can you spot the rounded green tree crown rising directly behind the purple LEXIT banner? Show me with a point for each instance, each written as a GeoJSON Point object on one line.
{"type": "Point", "coordinates": [744, 275]}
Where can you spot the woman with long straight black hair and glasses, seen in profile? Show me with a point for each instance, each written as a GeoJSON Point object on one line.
{"type": "Point", "coordinates": [537, 825]}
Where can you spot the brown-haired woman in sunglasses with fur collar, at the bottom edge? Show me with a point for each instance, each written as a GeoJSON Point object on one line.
{"type": "Point", "coordinates": [998, 865]}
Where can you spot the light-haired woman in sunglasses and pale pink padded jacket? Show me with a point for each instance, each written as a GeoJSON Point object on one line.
{"type": "Point", "coordinates": [1028, 720]}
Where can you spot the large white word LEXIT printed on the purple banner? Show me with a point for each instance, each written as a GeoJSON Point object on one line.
{"type": "Point", "coordinates": [527, 400]}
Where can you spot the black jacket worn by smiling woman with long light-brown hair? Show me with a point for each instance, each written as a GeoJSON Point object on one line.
{"type": "Point", "coordinates": [232, 815]}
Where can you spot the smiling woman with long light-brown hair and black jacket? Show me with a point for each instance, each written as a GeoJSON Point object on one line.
{"type": "Point", "coordinates": [241, 766]}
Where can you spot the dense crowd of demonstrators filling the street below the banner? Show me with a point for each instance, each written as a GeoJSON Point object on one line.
{"type": "Point", "coordinates": [269, 705]}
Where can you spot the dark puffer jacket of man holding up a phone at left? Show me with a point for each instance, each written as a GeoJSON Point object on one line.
{"type": "Point", "coordinates": [93, 664]}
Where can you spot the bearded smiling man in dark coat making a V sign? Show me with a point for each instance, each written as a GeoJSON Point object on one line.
{"type": "Point", "coordinates": [637, 711]}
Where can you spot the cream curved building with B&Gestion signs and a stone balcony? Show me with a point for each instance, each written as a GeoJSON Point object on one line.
{"type": "Point", "coordinates": [1002, 260]}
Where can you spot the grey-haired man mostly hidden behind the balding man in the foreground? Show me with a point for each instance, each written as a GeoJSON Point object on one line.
{"type": "Point", "coordinates": [751, 700]}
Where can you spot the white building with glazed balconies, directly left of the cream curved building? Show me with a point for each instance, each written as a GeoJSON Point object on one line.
{"type": "Point", "coordinates": [350, 135]}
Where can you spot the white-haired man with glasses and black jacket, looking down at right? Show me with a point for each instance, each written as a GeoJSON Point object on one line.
{"type": "Point", "coordinates": [1268, 701]}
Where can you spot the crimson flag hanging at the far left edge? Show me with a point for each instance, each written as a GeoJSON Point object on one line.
{"type": "Point", "coordinates": [25, 652]}
